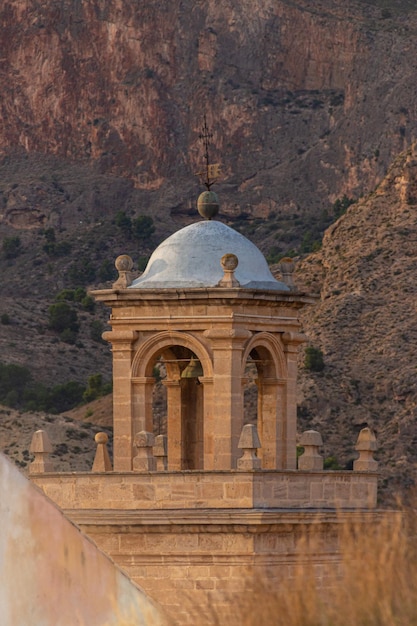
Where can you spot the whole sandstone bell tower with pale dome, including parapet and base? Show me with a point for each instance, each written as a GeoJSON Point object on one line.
{"type": "Point", "coordinates": [191, 510]}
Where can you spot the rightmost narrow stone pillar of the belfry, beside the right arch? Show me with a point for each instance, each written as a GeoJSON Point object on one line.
{"type": "Point", "coordinates": [292, 341]}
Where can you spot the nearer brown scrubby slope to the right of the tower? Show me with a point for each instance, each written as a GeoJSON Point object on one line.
{"type": "Point", "coordinates": [365, 325]}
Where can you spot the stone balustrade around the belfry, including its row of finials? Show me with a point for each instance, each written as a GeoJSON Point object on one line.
{"type": "Point", "coordinates": [151, 486]}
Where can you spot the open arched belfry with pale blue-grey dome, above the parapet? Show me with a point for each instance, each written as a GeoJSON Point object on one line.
{"type": "Point", "coordinates": [206, 305]}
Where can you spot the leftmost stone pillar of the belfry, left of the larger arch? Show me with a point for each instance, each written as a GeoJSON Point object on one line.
{"type": "Point", "coordinates": [122, 342]}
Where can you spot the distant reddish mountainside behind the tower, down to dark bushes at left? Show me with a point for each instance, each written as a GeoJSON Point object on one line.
{"type": "Point", "coordinates": [101, 109]}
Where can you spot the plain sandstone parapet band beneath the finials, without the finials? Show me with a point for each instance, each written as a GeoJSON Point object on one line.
{"type": "Point", "coordinates": [218, 490]}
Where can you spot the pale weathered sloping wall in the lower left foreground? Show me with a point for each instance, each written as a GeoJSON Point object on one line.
{"type": "Point", "coordinates": [52, 574]}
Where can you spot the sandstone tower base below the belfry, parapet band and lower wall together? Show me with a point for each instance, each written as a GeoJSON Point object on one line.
{"type": "Point", "coordinates": [194, 540]}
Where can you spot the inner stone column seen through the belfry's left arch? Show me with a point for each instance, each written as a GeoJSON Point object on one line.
{"type": "Point", "coordinates": [174, 424]}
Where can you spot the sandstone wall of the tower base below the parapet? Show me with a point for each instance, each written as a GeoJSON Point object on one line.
{"type": "Point", "coordinates": [200, 570]}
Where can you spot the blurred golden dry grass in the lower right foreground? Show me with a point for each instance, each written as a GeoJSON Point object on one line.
{"type": "Point", "coordinates": [375, 583]}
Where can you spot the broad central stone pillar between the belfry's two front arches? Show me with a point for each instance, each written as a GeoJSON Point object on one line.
{"type": "Point", "coordinates": [227, 400]}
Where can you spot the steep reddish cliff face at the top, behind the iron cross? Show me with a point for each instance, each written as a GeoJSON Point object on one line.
{"type": "Point", "coordinates": [307, 101]}
